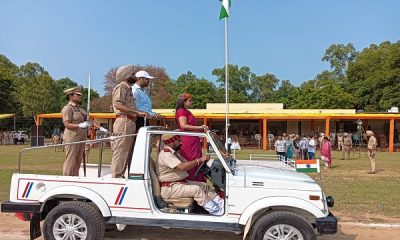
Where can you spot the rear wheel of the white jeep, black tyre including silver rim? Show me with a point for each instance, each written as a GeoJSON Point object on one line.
{"type": "Point", "coordinates": [74, 220]}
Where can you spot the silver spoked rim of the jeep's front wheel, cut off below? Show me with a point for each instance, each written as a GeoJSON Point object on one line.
{"type": "Point", "coordinates": [283, 232]}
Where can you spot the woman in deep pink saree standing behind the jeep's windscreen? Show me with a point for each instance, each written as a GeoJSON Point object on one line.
{"type": "Point", "coordinates": [191, 146]}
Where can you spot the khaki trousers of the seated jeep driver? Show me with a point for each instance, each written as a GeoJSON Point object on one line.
{"type": "Point", "coordinates": [191, 189]}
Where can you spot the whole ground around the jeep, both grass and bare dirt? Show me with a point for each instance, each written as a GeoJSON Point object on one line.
{"type": "Point", "coordinates": [366, 205]}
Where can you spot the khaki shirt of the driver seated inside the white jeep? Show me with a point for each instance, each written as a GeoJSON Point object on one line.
{"type": "Point", "coordinates": [167, 161]}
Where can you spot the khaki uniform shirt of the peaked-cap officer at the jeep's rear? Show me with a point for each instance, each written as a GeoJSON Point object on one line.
{"type": "Point", "coordinates": [73, 113]}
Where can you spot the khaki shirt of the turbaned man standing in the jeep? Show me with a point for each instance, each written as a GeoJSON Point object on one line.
{"type": "Point", "coordinates": [122, 94]}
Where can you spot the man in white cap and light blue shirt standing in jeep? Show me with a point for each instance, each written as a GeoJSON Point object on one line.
{"type": "Point", "coordinates": [142, 98]}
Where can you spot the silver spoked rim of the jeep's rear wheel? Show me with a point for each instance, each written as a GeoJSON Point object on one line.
{"type": "Point", "coordinates": [69, 227]}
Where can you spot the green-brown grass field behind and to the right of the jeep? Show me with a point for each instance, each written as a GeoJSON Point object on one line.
{"type": "Point", "coordinates": [356, 193]}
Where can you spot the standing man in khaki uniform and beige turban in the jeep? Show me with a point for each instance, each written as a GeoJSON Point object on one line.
{"type": "Point", "coordinates": [124, 108]}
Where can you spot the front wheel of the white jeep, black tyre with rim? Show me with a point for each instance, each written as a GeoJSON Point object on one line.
{"type": "Point", "coordinates": [282, 225]}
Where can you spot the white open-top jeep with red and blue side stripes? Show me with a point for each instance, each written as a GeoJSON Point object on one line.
{"type": "Point", "coordinates": [269, 203]}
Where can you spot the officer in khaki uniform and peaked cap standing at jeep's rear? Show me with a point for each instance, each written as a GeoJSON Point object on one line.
{"type": "Point", "coordinates": [75, 123]}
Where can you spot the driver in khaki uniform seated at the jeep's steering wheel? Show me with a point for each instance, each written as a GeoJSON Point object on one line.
{"type": "Point", "coordinates": [172, 173]}
